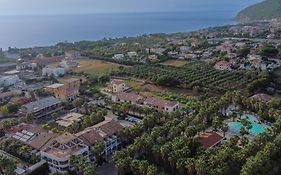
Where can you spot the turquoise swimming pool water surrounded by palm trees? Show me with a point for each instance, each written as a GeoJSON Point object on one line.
{"type": "Point", "coordinates": [255, 130]}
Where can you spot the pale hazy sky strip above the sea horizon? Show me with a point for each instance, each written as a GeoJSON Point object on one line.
{"type": "Point", "coordinates": [15, 7]}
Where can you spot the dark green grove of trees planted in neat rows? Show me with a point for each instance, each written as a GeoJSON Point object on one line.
{"type": "Point", "coordinates": [195, 74]}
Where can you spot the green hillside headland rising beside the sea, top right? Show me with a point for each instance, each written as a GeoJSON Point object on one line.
{"type": "Point", "coordinates": [265, 10]}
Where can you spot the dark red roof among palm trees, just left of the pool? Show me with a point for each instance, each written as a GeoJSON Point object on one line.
{"type": "Point", "coordinates": [209, 139]}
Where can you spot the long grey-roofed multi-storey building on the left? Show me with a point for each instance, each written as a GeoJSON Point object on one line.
{"type": "Point", "coordinates": [42, 108]}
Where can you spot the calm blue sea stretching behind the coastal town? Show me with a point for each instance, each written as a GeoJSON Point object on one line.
{"type": "Point", "coordinates": [43, 30]}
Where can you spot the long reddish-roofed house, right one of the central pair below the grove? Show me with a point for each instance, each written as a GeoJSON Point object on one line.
{"type": "Point", "coordinates": [159, 104]}
